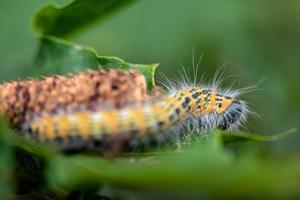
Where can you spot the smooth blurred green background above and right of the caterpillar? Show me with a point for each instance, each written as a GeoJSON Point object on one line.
{"type": "Point", "coordinates": [254, 39]}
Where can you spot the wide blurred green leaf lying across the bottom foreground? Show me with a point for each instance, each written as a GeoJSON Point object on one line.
{"type": "Point", "coordinates": [202, 170]}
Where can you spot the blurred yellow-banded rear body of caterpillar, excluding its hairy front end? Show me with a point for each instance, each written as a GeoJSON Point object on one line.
{"type": "Point", "coordinates": [132, 120]}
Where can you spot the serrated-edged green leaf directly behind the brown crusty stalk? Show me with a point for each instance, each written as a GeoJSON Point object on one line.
{"type": "Point", "coordinates": [57, 56]}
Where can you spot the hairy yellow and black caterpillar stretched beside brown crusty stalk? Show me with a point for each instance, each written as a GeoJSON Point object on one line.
{"type": "Point", "coordinates": [191, 107]}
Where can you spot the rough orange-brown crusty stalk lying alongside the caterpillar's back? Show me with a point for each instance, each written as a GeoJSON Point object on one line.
{"type": "Point", "coordinates": [20, 101]}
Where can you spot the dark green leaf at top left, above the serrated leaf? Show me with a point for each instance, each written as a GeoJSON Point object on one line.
{"type": "Point", "coordinates": [61, 20]}
